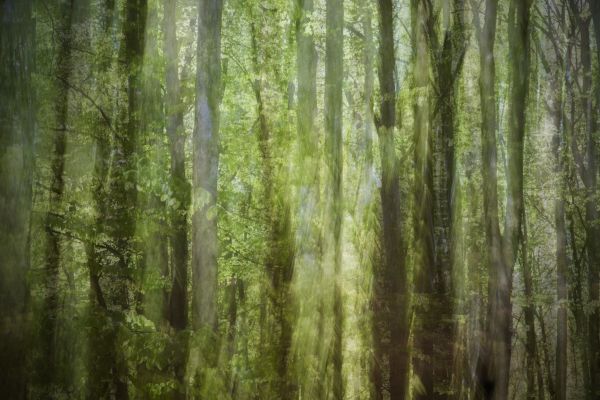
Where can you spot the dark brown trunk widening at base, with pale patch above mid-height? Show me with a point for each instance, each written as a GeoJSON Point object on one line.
{"type": "Point", "coordinates": [390, 297]}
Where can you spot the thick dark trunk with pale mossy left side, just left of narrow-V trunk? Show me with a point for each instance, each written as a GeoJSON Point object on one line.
{"type": "Point", "coordinates": [434, 154]}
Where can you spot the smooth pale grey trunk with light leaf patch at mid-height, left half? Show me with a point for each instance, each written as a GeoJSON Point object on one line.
{"type": "Point", "coordinates": [204, 181]}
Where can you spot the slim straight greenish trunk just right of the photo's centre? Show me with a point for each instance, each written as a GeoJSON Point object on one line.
{"type": "Point", "coordinates": [334, 75]}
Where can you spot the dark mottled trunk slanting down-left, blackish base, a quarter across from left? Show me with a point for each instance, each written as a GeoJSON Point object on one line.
{"type": "Point", "coordinates": [117, 203]}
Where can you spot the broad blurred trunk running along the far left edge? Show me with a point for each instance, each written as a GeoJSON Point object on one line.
{"type": "Point", "coordinates": [17, 124]}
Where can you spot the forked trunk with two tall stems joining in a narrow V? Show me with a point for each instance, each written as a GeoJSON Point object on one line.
{"type": "Point", "coordinates": [495, 367]}
